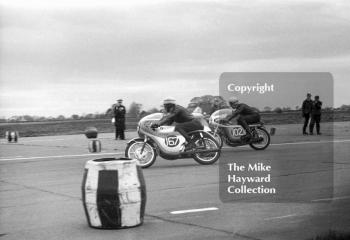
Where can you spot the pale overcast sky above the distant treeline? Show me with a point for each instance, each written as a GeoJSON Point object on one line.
{"type": "Point", "coordinates": [67, 57]}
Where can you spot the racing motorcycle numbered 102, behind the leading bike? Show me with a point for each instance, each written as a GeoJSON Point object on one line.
{"type": "Point", "coordinates": [232, 134]}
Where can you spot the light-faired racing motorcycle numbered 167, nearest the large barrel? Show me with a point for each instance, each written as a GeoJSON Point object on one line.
{"type": "Point", "coordinates": [169, 144]}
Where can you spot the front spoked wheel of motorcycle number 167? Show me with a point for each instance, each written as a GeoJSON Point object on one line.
{"type": "Point", "coordinates": [143, 152]}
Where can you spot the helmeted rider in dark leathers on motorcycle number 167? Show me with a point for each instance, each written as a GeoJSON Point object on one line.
{"type": "Point", "coordinates": [185, 121]}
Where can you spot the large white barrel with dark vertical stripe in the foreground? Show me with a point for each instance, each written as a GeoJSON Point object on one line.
{"type": "Point", "coordinates": [113, 193]}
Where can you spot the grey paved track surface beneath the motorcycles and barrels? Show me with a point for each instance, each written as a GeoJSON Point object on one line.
{"type": "Point", "coordinates": [40, 196]}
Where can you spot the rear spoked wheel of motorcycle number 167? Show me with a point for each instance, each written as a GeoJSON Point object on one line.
{"type": "Point", "coordinates": [206, 158]}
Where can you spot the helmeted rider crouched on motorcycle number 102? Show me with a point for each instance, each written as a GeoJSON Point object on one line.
{"type": "Point", "coordinates": [247, 115]}
